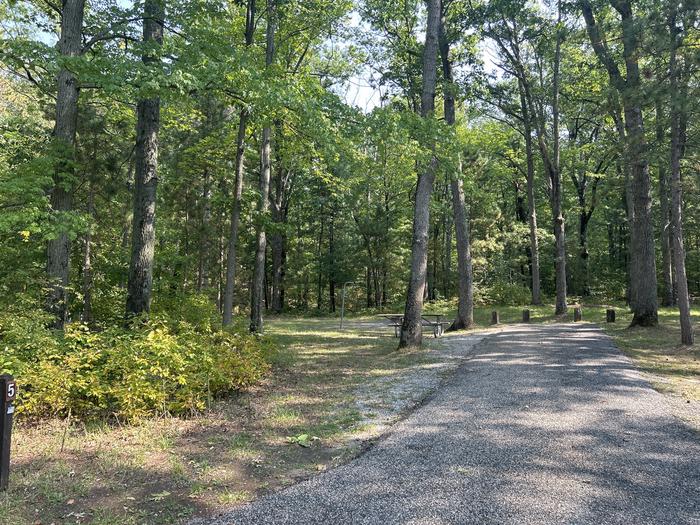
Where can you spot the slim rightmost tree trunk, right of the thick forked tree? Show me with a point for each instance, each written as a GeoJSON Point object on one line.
{"type": "Point", "coordinates": [678, 132]}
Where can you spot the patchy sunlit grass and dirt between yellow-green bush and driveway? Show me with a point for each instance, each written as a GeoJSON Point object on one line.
{"type": "Point", "coordinates": [168, 470]}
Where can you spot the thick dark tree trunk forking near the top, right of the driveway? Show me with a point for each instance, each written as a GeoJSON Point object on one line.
{"type": "Point", "coordinates": [643, 282]}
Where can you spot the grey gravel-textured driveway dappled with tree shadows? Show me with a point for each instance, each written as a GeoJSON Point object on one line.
{"type": "Point", "coordinates": [544, 424]}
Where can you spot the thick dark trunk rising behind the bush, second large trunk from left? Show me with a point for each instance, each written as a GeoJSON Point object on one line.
{"type": "Point", "coordinates": [143, 236]}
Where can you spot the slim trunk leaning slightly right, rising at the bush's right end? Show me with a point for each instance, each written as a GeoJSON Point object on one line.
{"type": "Point", "coordinates": [238, 187]}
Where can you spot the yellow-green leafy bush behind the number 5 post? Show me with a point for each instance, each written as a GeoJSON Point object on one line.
{"type": "Point", "coordinates": [168, 364]}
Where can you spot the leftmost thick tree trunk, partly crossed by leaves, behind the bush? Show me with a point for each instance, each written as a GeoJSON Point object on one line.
{"type": "Point", "coordinates": [58, 249]}
